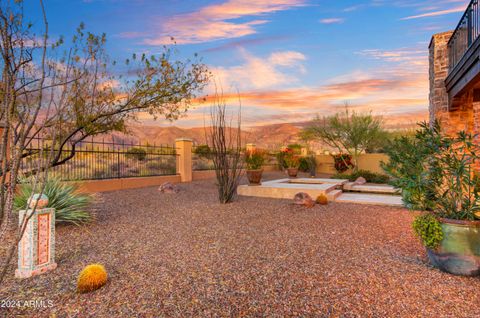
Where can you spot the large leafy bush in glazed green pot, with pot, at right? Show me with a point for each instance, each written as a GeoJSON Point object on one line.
{"type": "Point", "coordinates": [437, 174]}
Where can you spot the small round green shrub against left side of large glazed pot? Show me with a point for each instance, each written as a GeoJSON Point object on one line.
{"type": "Point", "coordinates": [428, 229]}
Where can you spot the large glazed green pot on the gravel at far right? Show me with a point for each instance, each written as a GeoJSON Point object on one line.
{"type": "Point", "coordinates": [459, 251]}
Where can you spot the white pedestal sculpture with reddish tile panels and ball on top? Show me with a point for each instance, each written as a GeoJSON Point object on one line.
{"type": "Point", "coordinates": [36, 250]}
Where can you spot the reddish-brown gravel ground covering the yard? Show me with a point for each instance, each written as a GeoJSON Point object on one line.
{"type": "Point", "coordinates": [186, 255]}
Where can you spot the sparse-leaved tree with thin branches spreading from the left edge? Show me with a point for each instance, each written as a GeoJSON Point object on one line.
{"type": "Point", "coordinates": [68, 92]}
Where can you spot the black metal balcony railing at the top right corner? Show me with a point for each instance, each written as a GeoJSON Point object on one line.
{"type": "Point", "coordinates": [467, 31]}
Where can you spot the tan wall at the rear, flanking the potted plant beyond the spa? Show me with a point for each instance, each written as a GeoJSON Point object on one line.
{"type": "Point", "coordinates": [371, 162]}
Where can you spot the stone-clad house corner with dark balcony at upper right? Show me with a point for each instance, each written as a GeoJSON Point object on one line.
{"type": "Point", "coordinates": [454, 60]}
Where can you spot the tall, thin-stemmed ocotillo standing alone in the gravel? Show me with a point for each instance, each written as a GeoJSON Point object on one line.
{"type": "Point", "coordinates": [226, 143]}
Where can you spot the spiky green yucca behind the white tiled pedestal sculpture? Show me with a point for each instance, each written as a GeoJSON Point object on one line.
{"type": "Point", "coordinates": [71, 205]}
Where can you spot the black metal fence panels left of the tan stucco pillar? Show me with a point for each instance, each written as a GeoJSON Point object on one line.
{"type": "Point", "coordinates": [94, 160]}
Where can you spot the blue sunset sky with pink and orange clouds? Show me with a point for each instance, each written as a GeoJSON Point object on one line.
{"type": "Point", "coordinates": [289, 59]}
